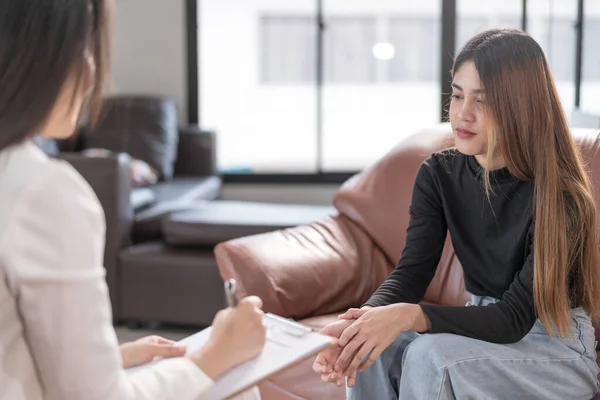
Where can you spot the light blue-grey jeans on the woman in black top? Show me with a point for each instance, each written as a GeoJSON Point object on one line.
{"type": "Point", "coordinates": [447, 366]}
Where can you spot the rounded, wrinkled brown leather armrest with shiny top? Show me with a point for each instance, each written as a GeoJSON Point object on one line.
{"type": "Point", "coordinates": [309, 270]}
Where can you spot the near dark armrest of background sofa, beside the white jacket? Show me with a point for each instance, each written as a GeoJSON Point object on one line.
{"type": "Point", "coordinates": [110, 179]}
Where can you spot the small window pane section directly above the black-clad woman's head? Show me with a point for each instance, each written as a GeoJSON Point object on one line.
{"type": "Point", "coordinates": [476, 16]}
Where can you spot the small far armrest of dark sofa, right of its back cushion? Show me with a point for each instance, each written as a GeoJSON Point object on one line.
{"type": "Point", "coordinates": [197, 154]}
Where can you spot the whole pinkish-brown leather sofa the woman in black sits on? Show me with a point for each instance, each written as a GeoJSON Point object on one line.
{"type": "Point", "coordinates": [312, 272]}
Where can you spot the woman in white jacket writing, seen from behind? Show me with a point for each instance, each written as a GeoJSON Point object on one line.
{"type": "Point", "coordinates": [56, 336]}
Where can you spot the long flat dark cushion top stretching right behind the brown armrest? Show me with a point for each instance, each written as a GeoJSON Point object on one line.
{"type": "Point", "coordinates": [219, 221]}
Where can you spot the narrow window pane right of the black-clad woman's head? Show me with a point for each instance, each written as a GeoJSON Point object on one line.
{"type": "Point", "coordinates": [552, 25]}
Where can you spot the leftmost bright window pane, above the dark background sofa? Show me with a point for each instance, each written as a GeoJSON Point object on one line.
{"type": "Point", "coordinates": [257, 87]}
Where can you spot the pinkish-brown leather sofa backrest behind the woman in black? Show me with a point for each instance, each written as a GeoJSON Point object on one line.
{"type": "Point", "coordinates": [378, 199]}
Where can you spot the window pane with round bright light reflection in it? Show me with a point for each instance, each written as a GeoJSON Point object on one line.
{"type": "Point", "coordinates": [382, 77]}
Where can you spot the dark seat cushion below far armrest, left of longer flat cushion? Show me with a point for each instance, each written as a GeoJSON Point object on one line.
{"type": "Point", "coordinates": [175, 195]}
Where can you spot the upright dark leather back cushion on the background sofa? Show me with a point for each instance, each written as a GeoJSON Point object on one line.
{"type": "Point", "coordinates": [144, 127]}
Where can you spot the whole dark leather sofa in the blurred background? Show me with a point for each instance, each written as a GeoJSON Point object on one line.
{"type": "Point", "coordinates": [159, 259]}
